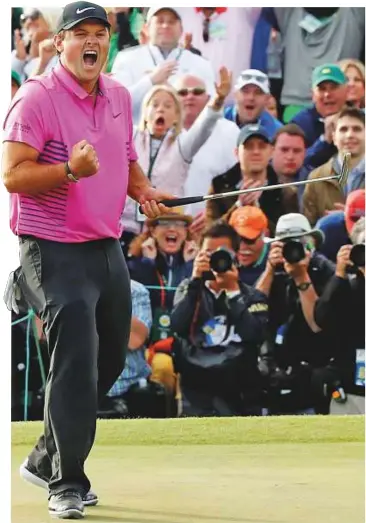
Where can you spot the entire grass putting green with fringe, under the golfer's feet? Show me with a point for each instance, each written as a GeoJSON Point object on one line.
{"type": "Point", "coordinates": [232, 470]}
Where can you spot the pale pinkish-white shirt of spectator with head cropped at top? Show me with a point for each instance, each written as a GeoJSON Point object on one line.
{"type": "Point", "coordinates": [230, 36]}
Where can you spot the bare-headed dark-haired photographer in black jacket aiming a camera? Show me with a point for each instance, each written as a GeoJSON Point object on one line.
{"type": "Point", "coordinates": [220, 322]}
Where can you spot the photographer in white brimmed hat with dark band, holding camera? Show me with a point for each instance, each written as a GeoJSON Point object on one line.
{"type": "Point", "coordinates": [294, 277]}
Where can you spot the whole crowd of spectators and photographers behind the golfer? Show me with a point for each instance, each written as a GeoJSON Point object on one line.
{"type": "Point", "coordinates": [250, 304]}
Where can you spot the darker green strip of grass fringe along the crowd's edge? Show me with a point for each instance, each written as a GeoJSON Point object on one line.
{"type": "Point", "coordinates": [215, 431]}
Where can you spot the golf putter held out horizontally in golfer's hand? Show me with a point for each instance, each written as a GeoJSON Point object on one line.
{"type": "Point", "coordinates": [341, 178]}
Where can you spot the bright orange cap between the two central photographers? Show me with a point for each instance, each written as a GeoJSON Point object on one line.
{"type": "Point", "coordinates": [248, 221]}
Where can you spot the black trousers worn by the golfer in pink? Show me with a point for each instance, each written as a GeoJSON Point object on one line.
{"type": "Point", "coordinates": [82, 294]}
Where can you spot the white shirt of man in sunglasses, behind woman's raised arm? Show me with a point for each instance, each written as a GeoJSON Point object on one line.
{"type": "Point", "coordinates": [216, 156]}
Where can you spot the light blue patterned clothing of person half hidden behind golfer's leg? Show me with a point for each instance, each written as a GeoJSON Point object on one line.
{"type": "Point", "coordinates": [136, 367]}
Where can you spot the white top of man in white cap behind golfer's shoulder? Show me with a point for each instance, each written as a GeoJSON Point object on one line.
{"type": "Point", "coordinates": [132, 67]}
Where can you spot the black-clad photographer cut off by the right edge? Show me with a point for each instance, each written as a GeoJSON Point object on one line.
{"type": "Point", "coordinates": [341, 310]}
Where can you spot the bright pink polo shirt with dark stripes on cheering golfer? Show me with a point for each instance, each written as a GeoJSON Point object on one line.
{"type": "Point", "coordinates": [51, 114]}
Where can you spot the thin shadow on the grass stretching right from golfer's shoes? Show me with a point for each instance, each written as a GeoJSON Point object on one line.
{"type": "Point", "coordinates": [144, 516]}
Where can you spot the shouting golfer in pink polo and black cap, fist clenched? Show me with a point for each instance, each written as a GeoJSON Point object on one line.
{"type": "Point", "coordinates": [69, 162]}
